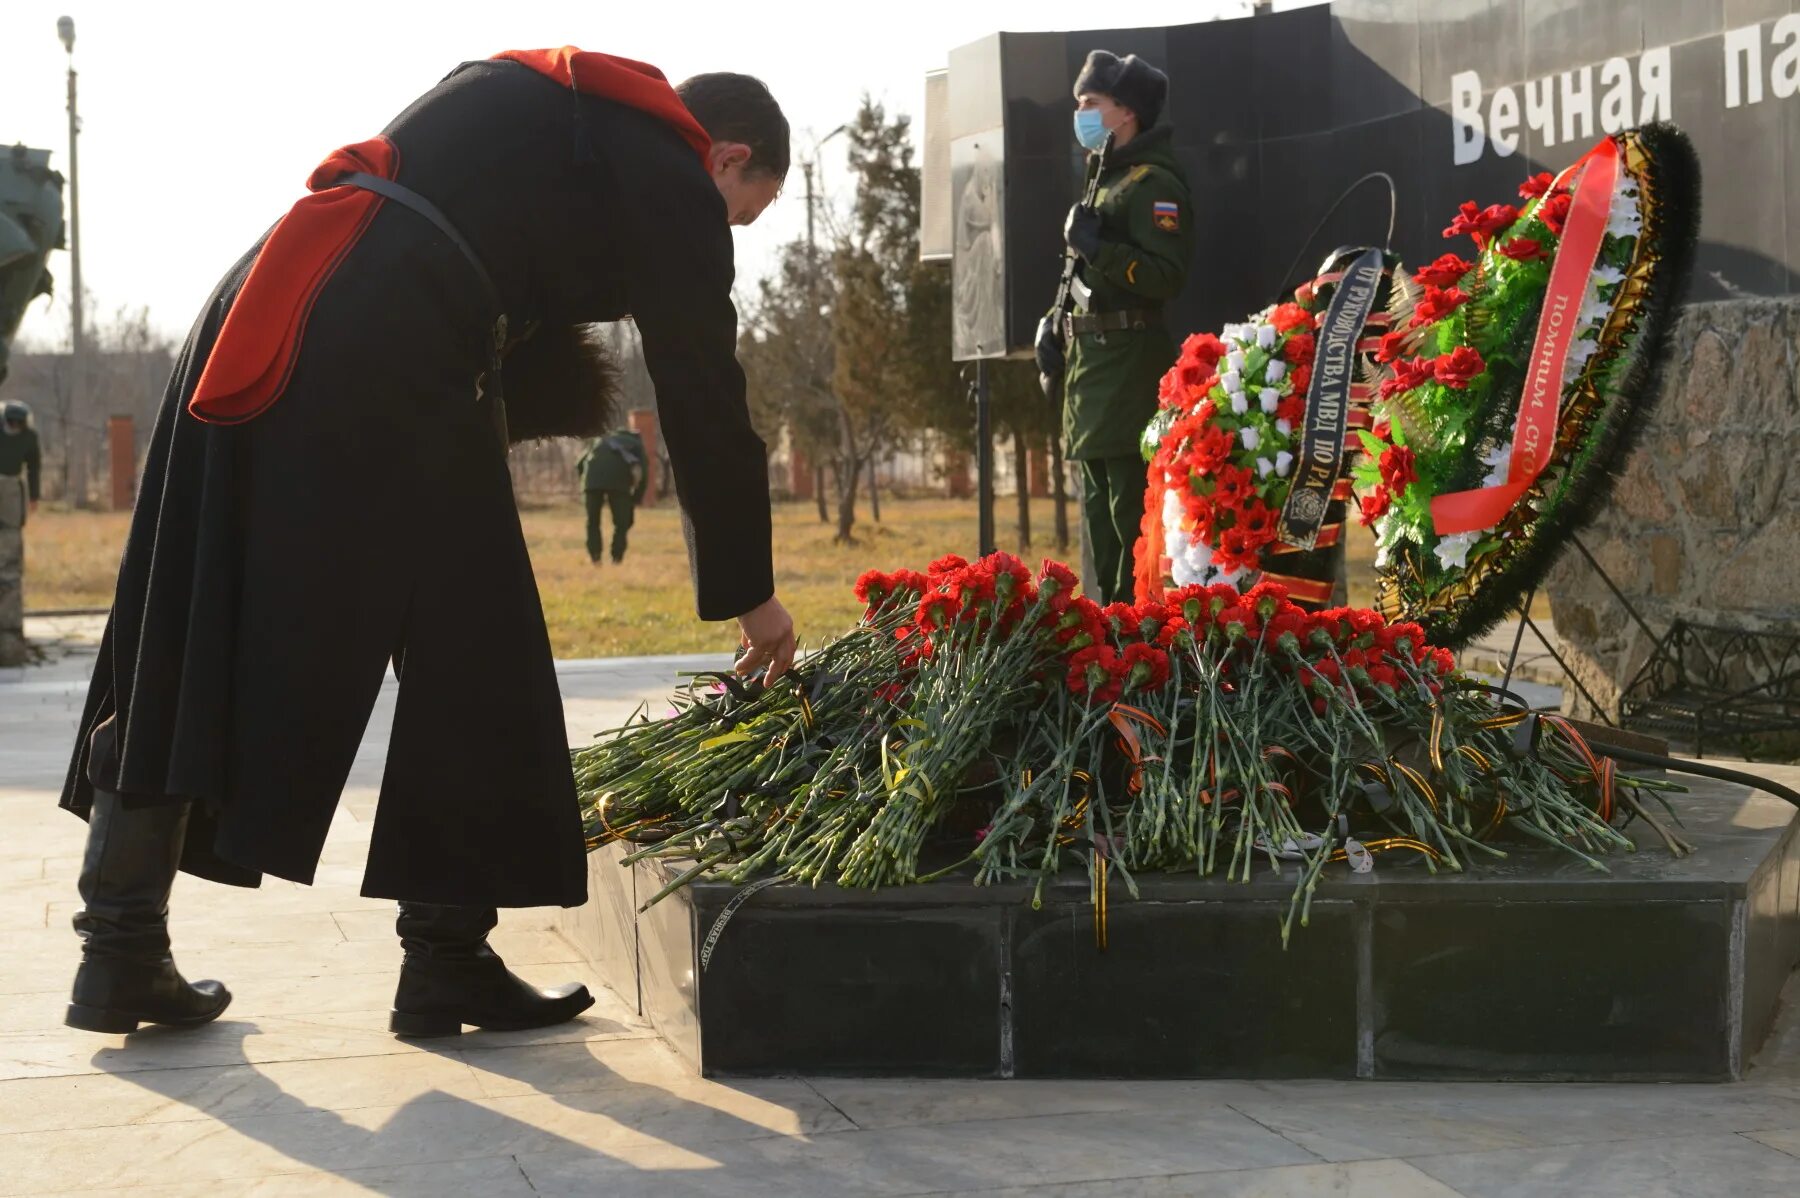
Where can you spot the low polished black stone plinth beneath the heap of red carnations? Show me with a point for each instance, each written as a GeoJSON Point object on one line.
{"type": "Point", "coordinates": [1536, 967]}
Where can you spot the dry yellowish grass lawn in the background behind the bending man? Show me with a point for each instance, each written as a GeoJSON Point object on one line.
{"type": "Point", "coordinates": [647, 603]}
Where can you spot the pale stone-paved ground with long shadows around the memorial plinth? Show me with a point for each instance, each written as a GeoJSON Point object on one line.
{"type": "Point", "coordinates": [300, 1091]}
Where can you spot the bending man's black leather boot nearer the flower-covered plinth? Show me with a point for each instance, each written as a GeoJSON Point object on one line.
{"type": "Point", "coordinates": [453, 978]}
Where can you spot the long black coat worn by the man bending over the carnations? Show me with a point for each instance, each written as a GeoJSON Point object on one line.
{"type": "Point", "coordinates": [364, 515]}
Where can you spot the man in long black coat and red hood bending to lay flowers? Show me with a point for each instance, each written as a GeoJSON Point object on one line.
{"type": "Point", "coordinates": [327, 492]}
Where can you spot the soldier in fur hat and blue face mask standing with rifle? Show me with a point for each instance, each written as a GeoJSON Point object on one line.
{"type": "Point", "coordinates": [1113, 352]}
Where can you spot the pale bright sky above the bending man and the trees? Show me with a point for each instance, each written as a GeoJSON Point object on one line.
{"type": "Point", "coordinates": [201, 120]}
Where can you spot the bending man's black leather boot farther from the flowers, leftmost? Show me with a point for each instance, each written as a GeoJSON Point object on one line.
{"type": "Point", "coordinates": [127, 976]}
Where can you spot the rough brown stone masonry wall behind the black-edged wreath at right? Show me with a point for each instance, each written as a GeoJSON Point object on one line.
{"type": "Point", "coordinates": [1705, 521]}
